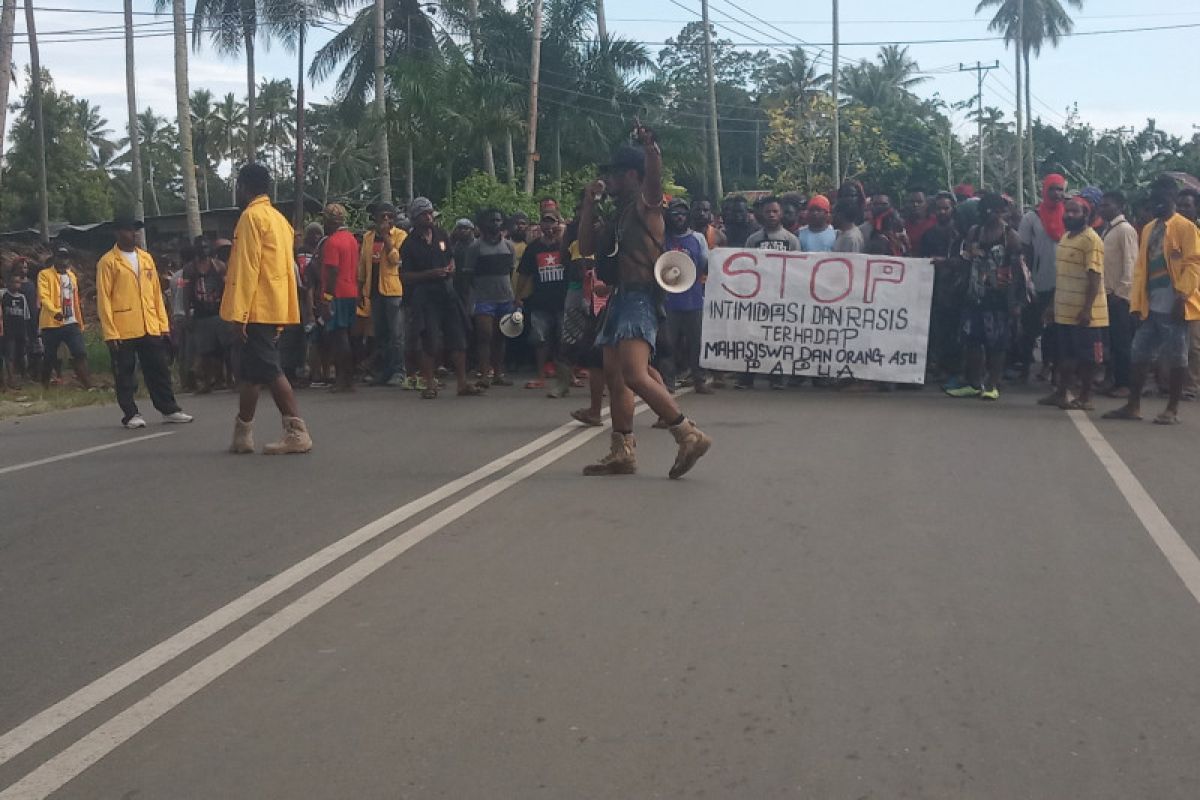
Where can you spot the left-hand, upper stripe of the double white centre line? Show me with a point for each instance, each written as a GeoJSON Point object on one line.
{"type": "Point", "coordinates": [100, 690]}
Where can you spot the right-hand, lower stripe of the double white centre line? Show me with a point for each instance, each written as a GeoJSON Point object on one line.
{"type": "Point", "coordinates": [75, 760]}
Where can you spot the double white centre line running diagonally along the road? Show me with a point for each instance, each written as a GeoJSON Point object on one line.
{"type": "Point", "coordinates": [75, 760]}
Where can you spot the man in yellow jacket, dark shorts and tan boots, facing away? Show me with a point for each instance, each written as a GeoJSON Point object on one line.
{"type": "Point", "coordinates": [260, 299]}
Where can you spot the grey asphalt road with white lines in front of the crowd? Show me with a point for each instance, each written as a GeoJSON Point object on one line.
{"type": "Point", "coordinates": [853, 597]}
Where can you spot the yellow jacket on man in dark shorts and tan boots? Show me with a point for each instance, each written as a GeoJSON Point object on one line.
{"type": "Point", "coordinates": [261, 282]}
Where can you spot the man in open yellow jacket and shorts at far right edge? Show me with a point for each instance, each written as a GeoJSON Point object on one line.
{"type": "Point", "coordinates": [1166, 296]}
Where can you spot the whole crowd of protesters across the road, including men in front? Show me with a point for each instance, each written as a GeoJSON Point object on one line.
{"type": "Point", "coordinates": [1076, 288]}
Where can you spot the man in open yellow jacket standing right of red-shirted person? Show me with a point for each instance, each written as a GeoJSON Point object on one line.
{"type": "Point", "coordinates": [380, 284]}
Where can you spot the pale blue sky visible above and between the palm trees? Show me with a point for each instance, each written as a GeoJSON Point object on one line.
{"type": "Point", "coordinates": [1112, 77]}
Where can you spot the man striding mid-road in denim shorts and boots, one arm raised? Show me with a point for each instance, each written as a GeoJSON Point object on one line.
{"type": "Point", "coordinates": [635, 182]}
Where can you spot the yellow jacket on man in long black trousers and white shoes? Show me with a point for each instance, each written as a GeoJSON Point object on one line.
{"type": "Point", "coordinates": [130, 306]}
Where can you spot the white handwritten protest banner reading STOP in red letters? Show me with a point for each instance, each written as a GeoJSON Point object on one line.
{"type": "Point", "coordinates": [819, 315]}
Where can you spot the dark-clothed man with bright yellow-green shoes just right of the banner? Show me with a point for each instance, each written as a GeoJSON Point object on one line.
{"type": "Point", "coordinates": [998, 290]}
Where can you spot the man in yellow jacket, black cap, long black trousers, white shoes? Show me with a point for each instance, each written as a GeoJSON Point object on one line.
{"type": "Point", "coordinates": [136, 328]}
